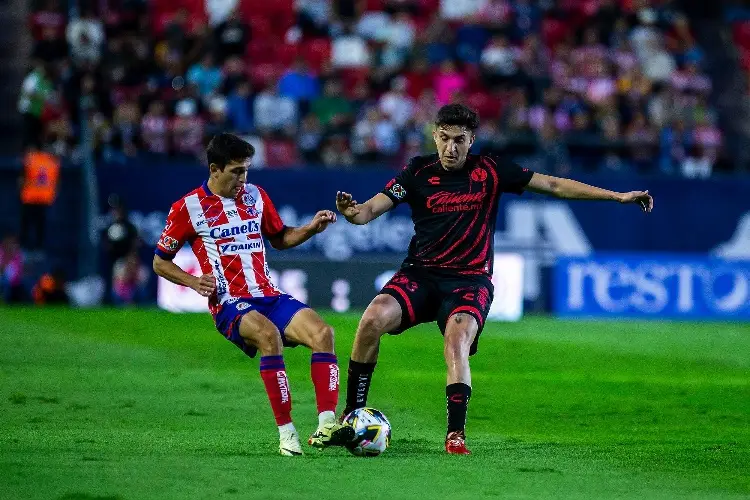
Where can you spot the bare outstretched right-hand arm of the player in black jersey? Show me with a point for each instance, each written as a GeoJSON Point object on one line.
{"type": "Point", "coordinates": [574, 190]}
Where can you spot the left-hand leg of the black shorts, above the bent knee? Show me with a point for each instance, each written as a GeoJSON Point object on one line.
{"type": "Point", "coordinates": [415, 292]}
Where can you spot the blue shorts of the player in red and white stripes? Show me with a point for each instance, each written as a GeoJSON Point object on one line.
{"type": "Point", "coordinates": [279, 310]}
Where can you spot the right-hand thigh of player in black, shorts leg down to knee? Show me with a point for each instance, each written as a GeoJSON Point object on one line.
{"type": "Point", "coordinates": [463, 312]}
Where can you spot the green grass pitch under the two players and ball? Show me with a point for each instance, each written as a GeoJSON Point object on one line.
{"type": "Point", "coordinates": [143, 404]}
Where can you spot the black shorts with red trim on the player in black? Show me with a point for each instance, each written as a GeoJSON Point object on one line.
{"type": "Point", "coordinates": [427, 295]}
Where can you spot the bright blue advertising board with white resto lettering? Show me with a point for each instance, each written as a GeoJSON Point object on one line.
{"type": "Point", "coordinates": [651, 286]}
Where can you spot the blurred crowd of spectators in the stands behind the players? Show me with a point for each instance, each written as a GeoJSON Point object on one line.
{"type": "Point", "coordinates": [594, 85]}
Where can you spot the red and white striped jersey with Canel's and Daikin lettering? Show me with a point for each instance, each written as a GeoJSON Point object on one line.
{"type": "Point", "coordinates": [227, 238]}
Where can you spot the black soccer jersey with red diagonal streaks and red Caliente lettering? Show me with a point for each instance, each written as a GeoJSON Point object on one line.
{"type": "Point", "coordinates": [455, 212]}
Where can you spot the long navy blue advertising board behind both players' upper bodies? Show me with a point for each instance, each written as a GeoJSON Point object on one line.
{"type": "Point", "coordinates": [710, 217]}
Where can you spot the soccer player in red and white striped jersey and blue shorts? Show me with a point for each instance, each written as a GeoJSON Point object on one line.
{"type": "Point", "coordinates": [224, 221]}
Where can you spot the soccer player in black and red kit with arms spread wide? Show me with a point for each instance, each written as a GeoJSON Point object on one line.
{"type": "Point", "coordinates": [446, 276]}
